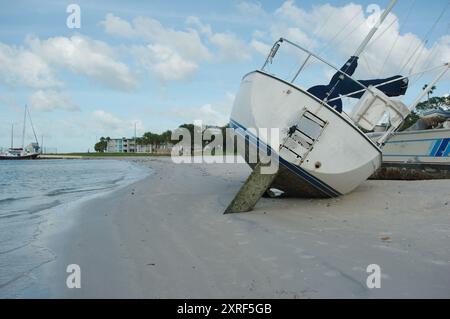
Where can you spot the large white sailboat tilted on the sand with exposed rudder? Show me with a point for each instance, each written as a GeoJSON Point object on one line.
{"type": "Point", "coordinates": [322, 151]}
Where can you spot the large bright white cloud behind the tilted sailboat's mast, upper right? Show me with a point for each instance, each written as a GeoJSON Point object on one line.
{"type": "Point", "coordinates": [337, 30]}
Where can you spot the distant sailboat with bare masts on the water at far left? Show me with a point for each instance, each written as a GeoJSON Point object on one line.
{"type": "Point", "coordinates": [22, 153]}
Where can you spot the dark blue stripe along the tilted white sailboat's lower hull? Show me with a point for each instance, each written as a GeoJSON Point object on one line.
{"type": "Point", "coordinates": [300, 172]}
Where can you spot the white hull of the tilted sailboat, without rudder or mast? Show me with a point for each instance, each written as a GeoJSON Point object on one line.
{"type": "Point", "coordinates": [340, 157]}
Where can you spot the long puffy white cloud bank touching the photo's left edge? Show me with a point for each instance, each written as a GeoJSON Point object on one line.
{"type": "Point", "coordinates": [34, 65]}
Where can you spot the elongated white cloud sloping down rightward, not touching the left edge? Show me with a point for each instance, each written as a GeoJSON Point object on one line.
{"type": "Point", "coordinates": [84, 56]}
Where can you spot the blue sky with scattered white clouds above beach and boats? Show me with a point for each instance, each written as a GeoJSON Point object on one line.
{"type": "Point", "coordinates": [159, 64]}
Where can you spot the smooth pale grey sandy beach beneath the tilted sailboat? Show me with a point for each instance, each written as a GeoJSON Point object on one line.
{"type": "Point", "coordinates": [166, 237]}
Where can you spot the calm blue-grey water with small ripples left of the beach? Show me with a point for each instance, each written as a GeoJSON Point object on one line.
{"type": "Point", "coordinates": [31, 191]}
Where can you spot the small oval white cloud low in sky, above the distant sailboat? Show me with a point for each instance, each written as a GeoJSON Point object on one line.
{"type": "Point", "coordinates": [51, 100]}
